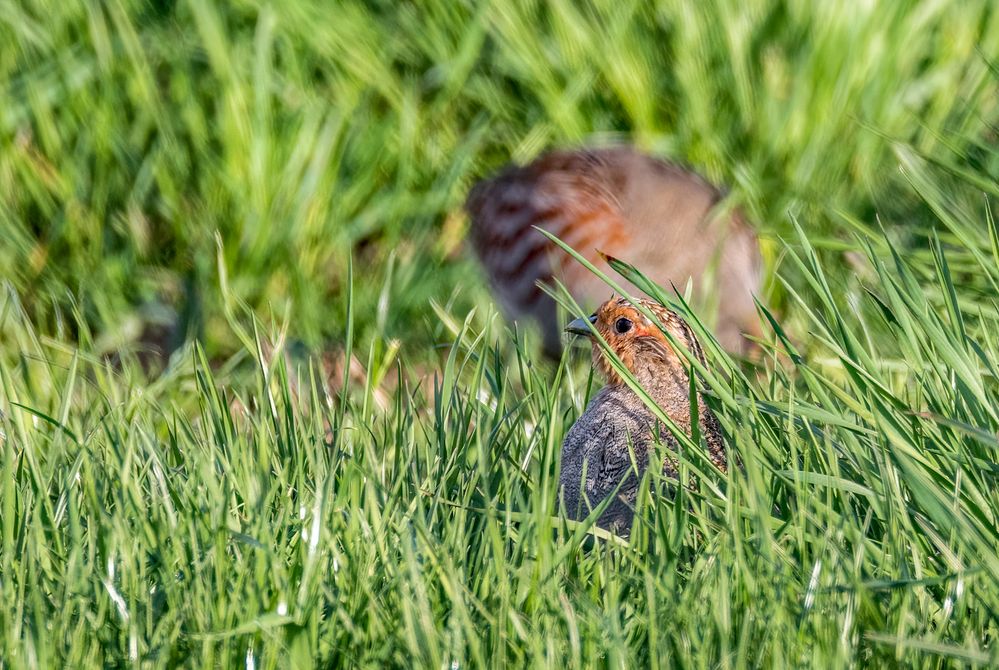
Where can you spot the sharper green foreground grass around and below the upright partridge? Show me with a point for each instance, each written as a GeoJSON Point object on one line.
{"type": "Point", "coordinates": [241, 516]}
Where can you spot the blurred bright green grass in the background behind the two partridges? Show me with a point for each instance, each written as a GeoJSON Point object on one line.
{"type": "Point", "coordinates": [298, 133]}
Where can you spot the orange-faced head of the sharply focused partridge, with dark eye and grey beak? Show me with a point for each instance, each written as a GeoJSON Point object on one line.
{"type": "Point", "coordinates": [637, 341]}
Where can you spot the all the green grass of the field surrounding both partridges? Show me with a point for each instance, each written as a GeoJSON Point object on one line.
{"type": "Point", "coordinates": [275, 188]}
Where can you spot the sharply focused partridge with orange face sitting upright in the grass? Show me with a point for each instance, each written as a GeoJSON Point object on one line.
{"type": "Point", "coordinates": [596, 456]}
